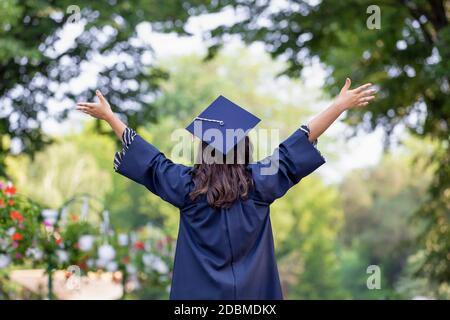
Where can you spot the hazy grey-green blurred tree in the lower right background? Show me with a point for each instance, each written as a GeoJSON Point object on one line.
{"type": "Point", "coordinates": [379, 205]}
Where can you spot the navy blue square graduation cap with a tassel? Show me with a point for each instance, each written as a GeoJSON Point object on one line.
{"type": "Point", "coordinates": [223, 124]}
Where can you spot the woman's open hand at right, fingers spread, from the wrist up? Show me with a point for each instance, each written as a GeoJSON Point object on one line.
{"type": "Point", "coordinates": [359, 97]}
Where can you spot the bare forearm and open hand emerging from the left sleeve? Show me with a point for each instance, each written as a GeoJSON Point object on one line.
{"type": "Point", "coordinates": [102, 110]}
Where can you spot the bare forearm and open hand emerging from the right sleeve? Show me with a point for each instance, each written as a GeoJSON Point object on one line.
{"type": "Point", "coordinates": [346, 99]}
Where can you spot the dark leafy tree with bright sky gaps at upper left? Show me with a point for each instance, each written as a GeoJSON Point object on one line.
{"type": "Point", "coordinates": [36, 69]}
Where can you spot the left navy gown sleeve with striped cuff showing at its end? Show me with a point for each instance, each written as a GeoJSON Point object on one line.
{"type": "Point", "coordinates": [143, 163]}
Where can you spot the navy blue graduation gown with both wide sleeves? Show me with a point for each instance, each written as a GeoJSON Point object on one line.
{"type": "Point", "coordinates": [224, 253]}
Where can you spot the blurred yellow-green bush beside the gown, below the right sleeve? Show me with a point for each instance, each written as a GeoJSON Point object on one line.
{"type": "Point", "coordinates": [306, 231]}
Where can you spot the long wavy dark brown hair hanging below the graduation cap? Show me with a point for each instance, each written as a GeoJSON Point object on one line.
{"type": "Point", "coordinates": [223, 178]}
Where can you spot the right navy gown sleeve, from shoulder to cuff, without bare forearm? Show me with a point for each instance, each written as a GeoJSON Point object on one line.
{"type": "Point", "coordinates": [295, 158]}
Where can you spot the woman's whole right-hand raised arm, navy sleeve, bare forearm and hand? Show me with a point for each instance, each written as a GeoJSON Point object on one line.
{"type": "Point", "coordinates": [297, 157]}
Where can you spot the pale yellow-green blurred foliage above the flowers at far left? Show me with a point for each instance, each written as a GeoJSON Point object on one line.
{"type": "Point", "coordinates": [64, 170]}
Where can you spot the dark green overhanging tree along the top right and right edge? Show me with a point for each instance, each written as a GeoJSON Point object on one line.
{"type": "Point", "coordinates": [407, 58]}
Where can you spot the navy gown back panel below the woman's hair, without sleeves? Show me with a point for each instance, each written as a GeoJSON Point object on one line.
{"type": "Point", "coordinates": [221, 253]}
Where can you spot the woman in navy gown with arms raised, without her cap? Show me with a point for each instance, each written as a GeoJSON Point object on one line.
{"type": "Point", "coordinates": [225, 245]}
